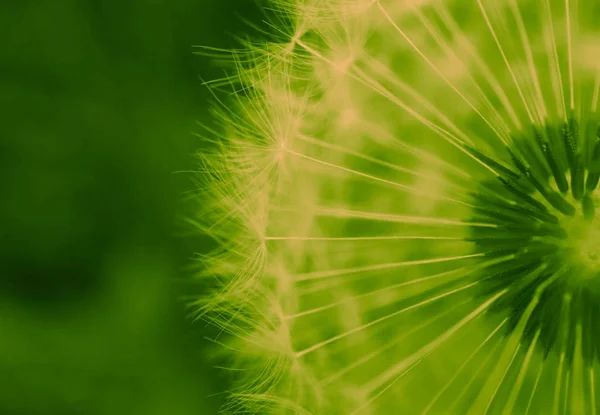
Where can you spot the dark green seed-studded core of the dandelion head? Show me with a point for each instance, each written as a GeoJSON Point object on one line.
{"type": "Point", "coordinates": [542, 206]}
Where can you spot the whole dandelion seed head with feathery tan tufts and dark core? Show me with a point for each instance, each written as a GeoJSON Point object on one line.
{"type": "Point", "coordinates": [404, 194]}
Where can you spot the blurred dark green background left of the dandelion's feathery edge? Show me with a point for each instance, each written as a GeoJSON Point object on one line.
{"type": "Point", "coordinates": [100, 100]}
